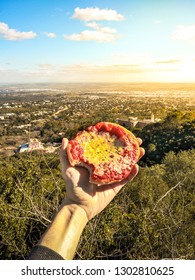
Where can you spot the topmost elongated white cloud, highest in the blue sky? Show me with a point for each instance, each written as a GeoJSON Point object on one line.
{"type": "Point", "coordinates": [90, 14]}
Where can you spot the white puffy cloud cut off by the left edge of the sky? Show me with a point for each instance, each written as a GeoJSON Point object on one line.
{"type": "Point", "coordinates": [12, 34]}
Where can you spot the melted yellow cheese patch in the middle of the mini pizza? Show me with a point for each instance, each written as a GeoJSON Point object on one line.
{"type": "Point", "coordinates": [100, 148]}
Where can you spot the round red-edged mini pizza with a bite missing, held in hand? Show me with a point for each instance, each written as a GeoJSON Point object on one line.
{"type": "Point", "coordinates": [108, 150]}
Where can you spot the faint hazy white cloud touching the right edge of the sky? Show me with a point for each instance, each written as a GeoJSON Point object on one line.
{"type": "Point", "coordinates": [185, 33]}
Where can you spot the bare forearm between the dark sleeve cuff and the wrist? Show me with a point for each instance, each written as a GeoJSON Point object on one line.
{"type": "Point", "coordinates": [64, 232]}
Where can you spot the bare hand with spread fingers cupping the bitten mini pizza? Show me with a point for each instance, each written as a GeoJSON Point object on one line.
{"type": "Point", "coordinates": [92, 198]}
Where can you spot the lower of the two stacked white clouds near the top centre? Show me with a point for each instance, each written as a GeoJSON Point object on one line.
{"type": "Point", "coordinates": [99, 34]}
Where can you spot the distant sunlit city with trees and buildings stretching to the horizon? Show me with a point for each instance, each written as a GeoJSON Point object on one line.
{"type": "Point", "coordinates": [47, 112]}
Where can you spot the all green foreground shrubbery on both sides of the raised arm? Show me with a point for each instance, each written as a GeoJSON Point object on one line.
{"type": "Point", "coordinates": [151, 218]}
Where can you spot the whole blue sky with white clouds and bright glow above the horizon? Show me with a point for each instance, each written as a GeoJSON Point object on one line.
{"type": "Point", "coordinates": [97, 41]}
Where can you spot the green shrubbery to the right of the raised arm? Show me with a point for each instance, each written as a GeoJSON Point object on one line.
{"type": "Point", "coordinates": [152, 217]}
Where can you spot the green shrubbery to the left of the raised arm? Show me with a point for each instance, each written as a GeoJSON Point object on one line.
{"type": "Point", "coordinates": [28, 200]}
